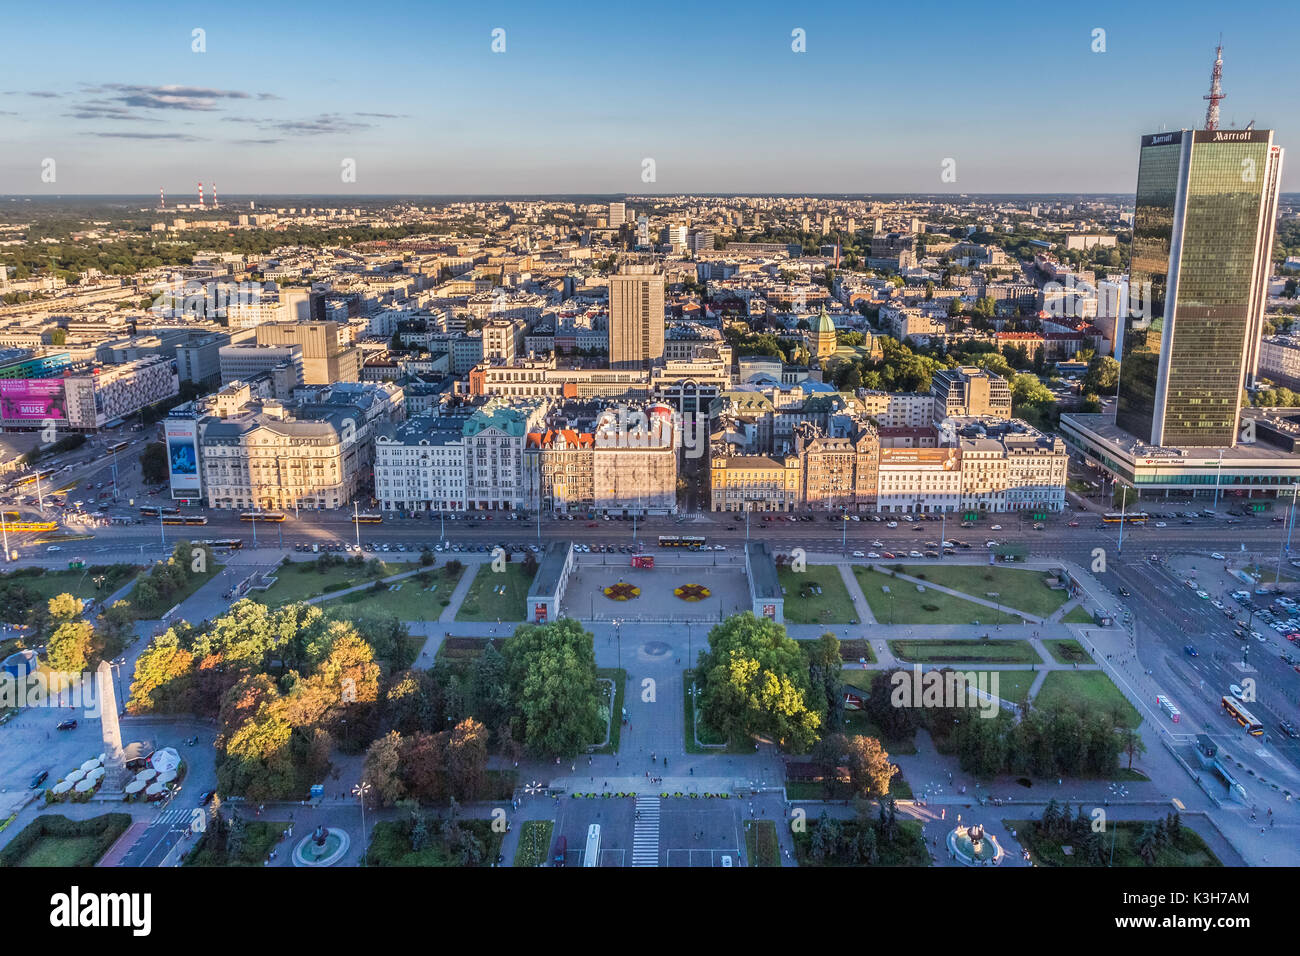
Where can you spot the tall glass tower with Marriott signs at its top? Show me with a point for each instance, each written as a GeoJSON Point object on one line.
{"type": "Point", "coordinates": [1203, 236]}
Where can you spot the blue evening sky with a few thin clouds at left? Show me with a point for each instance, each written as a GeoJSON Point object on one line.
{"type": "Point", "coordinates": [582, 94]}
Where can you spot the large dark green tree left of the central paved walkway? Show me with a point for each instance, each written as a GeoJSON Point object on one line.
{"type": "Point", "coordinates": [553, 680]}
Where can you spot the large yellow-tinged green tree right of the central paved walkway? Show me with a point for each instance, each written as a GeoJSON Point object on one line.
{"type": "Point", "coordinates": [755, 681]}
